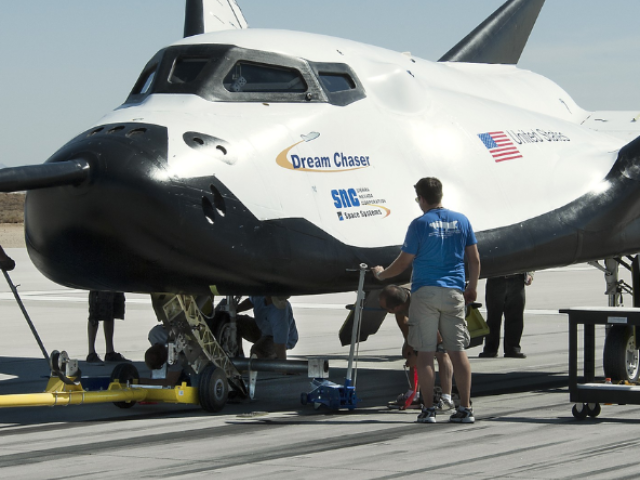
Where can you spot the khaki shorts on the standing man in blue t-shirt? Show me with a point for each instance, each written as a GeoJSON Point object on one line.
{"type": "Point", "coordinates": [433, 309]}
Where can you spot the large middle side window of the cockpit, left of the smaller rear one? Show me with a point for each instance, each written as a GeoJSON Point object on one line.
{"type": "Point", "coordinates": [252, 77]}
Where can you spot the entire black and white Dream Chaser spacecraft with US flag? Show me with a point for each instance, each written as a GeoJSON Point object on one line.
{"type": "Point", "coordinates": [254, 161]}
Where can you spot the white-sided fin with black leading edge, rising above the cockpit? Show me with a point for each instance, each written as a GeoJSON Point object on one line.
{"type": "Point", "coordinates": [203, 16]}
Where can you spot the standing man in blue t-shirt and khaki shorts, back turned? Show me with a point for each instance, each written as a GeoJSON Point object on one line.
{"type": "Point", "coordinates": [436, 244]}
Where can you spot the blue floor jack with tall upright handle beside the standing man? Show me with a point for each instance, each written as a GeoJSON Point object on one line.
{"type": "Point", "coordinates": [333, 395]}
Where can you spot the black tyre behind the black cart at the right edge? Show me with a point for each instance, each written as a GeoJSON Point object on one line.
{"type": "Point", "coordinates": [620, 359]}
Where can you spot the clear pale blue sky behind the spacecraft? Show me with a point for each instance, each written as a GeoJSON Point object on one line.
{"type": "Point", "coordinates": [68, 62]}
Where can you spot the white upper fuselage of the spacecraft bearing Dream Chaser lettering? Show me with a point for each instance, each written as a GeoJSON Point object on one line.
{"type": "Point", "coordinates": [350, 170]}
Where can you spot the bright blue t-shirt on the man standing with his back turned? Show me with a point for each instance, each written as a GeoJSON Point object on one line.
{"type": "Point", "coordinates": [438, 240]}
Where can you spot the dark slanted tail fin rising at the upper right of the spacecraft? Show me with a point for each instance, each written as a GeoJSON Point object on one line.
{"type": "Point", "coordinates": [501, 38]}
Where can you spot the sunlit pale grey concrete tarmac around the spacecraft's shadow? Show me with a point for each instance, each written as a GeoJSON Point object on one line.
{"type": "Point", "coordinates": [524, 427]}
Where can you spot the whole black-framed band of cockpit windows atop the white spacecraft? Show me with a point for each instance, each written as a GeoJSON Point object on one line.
{"type": "Point", "coordinates": [227, 73]}
